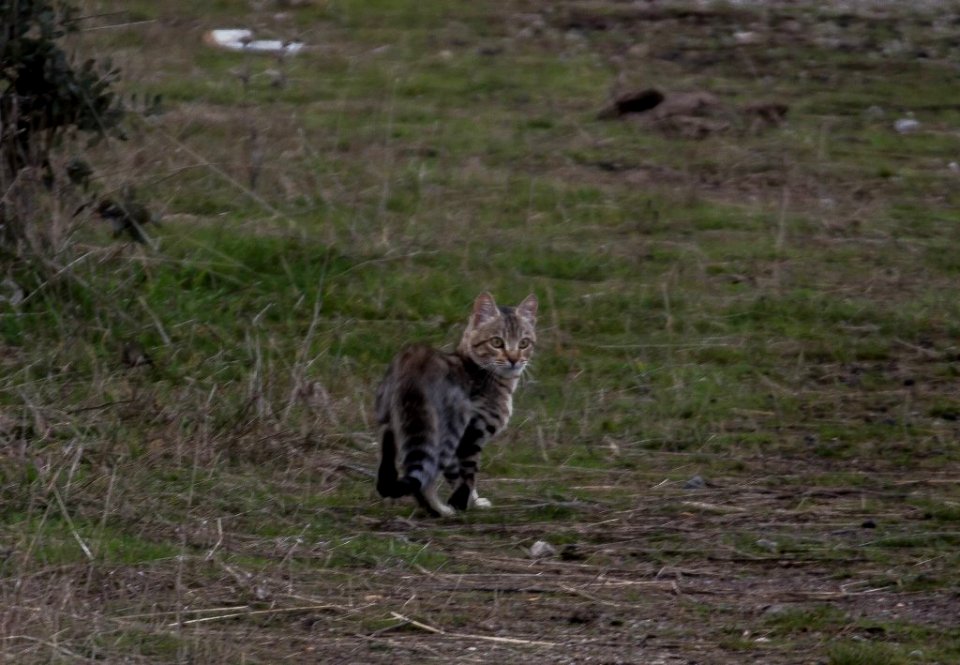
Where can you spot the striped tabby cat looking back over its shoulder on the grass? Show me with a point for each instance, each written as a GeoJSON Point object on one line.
{"type": "Point", "coordinates": [436, 410]}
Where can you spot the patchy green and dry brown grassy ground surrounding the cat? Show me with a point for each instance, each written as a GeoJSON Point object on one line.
{"type": "Point", "coordinates": [769, 308]}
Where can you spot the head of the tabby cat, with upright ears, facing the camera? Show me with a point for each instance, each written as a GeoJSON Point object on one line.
{"type": "Point", "coordinates": [501, 339]}
